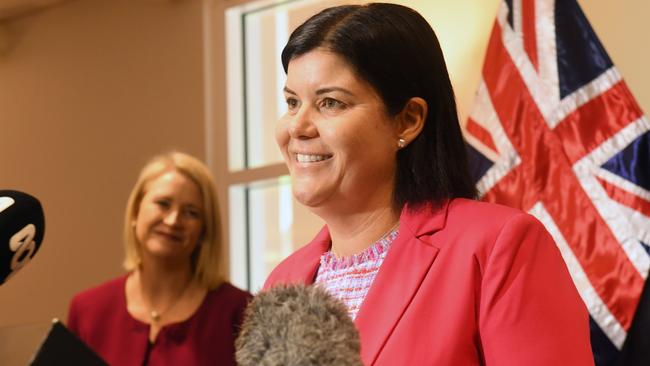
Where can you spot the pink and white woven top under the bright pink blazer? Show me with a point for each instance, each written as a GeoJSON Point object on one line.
{"type": "Point", "coordinates": [349, 278]}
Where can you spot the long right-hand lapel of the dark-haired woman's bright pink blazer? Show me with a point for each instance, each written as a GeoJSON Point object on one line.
{"type": "Point", "coordinates": [398, 279]}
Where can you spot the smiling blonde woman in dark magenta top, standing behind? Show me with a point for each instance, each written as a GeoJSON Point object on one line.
{"type": "Point", "coordinates": [172, 307]}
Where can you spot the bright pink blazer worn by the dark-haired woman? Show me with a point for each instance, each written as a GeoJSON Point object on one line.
{"type": "Point", "coordinates": [469, 283]}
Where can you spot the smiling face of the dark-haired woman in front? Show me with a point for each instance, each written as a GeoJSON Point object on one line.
{"type": "Point", "coordinates": [337, 139]}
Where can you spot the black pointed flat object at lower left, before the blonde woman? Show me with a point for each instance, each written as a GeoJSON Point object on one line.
{"type": "Point", "coordinates": [62, 347]}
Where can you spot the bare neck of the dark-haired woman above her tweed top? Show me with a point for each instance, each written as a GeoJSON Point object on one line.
{"type": "Point", "coordinates": [351, 234]}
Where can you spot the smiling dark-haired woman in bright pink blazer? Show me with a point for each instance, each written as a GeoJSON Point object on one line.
{"type": "Point", "coordinates": [374, 147]}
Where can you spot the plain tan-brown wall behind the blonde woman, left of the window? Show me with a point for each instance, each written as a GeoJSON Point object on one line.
{"type": "Point", "coordinates": [88, 92]}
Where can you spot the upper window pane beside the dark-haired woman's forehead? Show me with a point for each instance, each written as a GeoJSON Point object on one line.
{"type": "Point", "coordinates": [256, 34]}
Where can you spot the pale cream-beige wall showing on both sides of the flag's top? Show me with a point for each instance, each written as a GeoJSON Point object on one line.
{"type": "Point", "coordinates": [464, 26]}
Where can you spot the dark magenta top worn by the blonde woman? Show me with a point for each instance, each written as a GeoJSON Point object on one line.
{"type": "Point", "coordinates": [100, 318]}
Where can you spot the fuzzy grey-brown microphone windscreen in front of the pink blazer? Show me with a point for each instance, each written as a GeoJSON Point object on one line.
{"type": "Point", "coordinates": [293, 325]}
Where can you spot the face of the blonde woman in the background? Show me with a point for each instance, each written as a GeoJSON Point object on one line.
{"type": "Point", "coordinates": [169, 222]}
